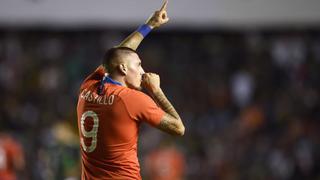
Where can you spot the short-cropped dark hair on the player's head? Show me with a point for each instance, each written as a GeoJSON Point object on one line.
{"type": "Point", "coordinates": [116, 56]}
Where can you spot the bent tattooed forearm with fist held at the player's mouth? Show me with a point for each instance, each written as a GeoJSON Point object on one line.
{"type": "Point", "coordinates": [171, 121]}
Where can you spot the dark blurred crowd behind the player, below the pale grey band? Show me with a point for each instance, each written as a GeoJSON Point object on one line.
{"type": "Point", "coordinates": [250, 101]}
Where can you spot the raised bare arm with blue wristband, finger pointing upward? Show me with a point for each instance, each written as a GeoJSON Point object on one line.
{"type": "Point", "coordinates": [155, 20]}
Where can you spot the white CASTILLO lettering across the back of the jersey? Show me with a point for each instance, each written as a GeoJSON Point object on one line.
{"type": "Point", "coordinates": [92, 97]}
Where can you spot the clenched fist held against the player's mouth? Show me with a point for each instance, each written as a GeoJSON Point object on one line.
{"type": "Point", "coordinates": [151, 82]}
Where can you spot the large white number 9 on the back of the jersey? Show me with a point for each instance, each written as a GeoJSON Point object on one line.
{"type": "Point", "coordinates": [89, 134]}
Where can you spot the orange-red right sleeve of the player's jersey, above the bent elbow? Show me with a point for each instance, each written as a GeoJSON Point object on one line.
{"type": "Point", "coordinates": [142, 108]}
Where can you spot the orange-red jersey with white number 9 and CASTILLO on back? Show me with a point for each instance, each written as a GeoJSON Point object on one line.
{"type": "Point", "coordinates": [108, 128]}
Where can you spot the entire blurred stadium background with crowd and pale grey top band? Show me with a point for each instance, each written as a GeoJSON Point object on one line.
{"type": "Point", "coordinates": [243, 74]}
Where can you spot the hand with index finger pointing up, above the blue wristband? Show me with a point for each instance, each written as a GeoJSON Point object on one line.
{"type": "Point", "coordinates": [159, 17]}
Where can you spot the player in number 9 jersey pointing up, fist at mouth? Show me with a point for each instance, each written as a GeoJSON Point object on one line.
{"type": "Point", "coordinates": [111, 107]}
